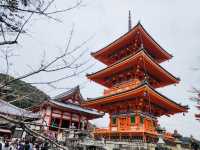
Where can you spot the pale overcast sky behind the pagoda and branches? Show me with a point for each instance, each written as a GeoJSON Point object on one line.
{"type": "Point", "coordinates": [175, 25]}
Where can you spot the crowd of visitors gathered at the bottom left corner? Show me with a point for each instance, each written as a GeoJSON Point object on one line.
{"type": "Point", "coordinates": [23, 145]}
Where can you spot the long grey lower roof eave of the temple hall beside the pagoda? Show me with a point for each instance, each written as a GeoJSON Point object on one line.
{"type": "Point", "coordinates": [74, 108]}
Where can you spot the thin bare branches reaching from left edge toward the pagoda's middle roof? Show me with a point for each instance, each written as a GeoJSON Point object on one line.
{"type": "Point", "coordinates": [65, 61]}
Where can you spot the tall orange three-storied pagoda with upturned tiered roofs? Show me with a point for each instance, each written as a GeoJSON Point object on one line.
{"type": "Point", "coordinates": [132, 74]}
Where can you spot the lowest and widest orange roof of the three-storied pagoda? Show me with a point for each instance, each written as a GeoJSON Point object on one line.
{"type": "Point", "coordinates": [129, 95]}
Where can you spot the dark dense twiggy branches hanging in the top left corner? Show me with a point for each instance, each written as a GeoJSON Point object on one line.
{"type": "Point", "coordinates": [15, 14]}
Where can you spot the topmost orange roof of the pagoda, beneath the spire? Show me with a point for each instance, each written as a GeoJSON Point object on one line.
{"type": "Point", "coordinates": [152, 47]}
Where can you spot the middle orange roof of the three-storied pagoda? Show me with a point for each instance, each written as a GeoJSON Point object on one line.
{"type": "Point", "coordinates": [149, 65]}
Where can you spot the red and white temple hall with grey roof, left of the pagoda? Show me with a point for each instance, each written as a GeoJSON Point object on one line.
{"type": "Point", "coordinates": [64, 111]}
